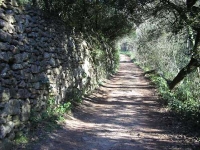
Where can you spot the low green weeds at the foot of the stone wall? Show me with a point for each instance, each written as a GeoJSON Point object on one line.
{"type": "Point", "coordinates": [46, 121]}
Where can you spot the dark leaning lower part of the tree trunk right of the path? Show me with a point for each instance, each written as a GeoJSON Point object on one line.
{"type": "Point", "coordinates": [192, 66]}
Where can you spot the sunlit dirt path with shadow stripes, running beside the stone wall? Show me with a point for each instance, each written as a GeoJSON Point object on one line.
{"type": "Point", "coordinates": [121, 115]}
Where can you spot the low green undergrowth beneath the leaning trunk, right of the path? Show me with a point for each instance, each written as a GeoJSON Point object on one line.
{"type": "Point", "coordinates": [180, 101]}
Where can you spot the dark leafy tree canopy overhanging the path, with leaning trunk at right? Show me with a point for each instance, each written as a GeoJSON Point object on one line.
{"type": "Point", "coordinates": [114, 18]}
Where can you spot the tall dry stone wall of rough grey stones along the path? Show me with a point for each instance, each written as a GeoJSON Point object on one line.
{"type": "Point", "coordinates": [40, 58]}
